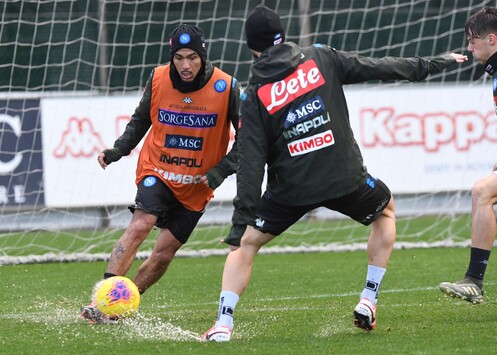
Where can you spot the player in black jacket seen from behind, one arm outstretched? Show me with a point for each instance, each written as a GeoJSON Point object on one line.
{"type": "Point", "coordinates": [294, 118]}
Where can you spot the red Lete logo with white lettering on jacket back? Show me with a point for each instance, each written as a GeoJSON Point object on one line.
{"type": "Point", "coordinates": [307, 77]}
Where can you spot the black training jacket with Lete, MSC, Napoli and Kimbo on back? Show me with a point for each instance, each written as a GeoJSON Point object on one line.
{"type": "Point", "coordinates": [294, 117]}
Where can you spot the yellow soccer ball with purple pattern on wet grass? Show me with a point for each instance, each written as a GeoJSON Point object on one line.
{"type": "Point", "coordinates": [117, 296]}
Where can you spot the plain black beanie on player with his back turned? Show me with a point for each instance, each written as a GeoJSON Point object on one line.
{"type": "Point", "coordinates": [263, 29]}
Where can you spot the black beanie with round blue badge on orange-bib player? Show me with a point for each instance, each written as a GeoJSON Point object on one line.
{"type": "Point", "coordinates": [188, 36]}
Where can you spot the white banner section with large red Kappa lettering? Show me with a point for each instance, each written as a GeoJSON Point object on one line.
{"type": "Point", "coordinates": [425, 138]}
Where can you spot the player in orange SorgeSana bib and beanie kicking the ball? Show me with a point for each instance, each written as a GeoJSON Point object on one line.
{"type": "Point", "coordinates": [187, 108]}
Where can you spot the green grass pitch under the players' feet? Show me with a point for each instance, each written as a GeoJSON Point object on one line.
{"type": "Point", "coordinates": [295, 304]}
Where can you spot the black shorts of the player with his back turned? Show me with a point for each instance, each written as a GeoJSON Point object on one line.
{"type": "Point", "coordinates": [363, 205]}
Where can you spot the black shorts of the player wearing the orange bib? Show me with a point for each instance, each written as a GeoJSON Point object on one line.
{"type": "Point", "coordinates": [154, 197]}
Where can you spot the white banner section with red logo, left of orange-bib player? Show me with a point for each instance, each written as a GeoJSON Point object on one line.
{"type": "Point", "coordinates": [75, 131]}
